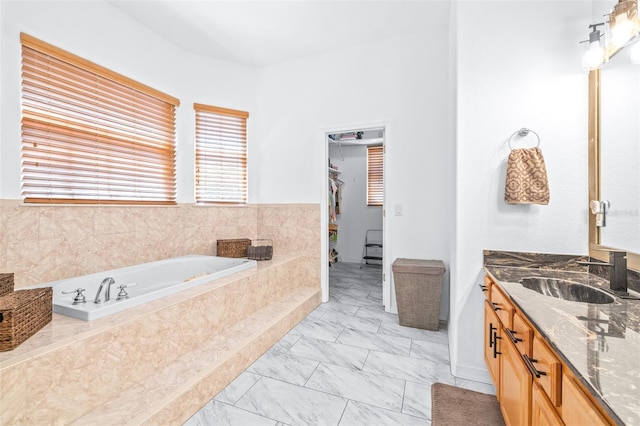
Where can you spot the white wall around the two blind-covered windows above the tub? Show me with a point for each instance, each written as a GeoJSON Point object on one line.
{"type": "Point", "coordinates": [100, 33]}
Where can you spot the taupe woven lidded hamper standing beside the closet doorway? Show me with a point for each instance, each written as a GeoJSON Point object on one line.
{"type": "Point", "coordinates": [418, 284]}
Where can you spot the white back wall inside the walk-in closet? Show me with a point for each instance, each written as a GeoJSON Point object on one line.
{"type": "Point", "coordinates": [356, 216]}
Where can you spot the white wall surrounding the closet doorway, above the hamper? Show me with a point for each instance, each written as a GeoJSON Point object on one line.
{"type": "Point", "coordinates": [403, 82]}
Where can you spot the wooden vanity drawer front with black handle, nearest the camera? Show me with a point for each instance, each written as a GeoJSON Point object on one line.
{"type": "Point", "coordinates": [549, 370]}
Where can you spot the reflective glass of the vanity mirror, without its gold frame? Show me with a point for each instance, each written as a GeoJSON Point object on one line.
{"type": "Point", "coordinates": [620, 151]}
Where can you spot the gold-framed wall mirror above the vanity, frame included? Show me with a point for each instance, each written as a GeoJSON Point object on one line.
{"type": "Point", "coordinates": [614, 156]}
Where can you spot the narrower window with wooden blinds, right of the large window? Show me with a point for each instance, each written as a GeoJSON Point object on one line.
{"type": "Point", "coordinates": [221, 155]}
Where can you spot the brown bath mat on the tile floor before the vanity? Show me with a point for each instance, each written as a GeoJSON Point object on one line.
{"type": "Point", "coordinates": [451, 405]}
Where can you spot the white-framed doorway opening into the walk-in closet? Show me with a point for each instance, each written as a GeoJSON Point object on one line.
{"type": "Point", "coordinates": [353, 218]}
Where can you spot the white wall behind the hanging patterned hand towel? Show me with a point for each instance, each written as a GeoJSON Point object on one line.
{"type": "Point", "coordinates": [518, 65]}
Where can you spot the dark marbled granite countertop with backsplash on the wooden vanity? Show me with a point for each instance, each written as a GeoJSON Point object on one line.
{"type": "Point", "coordinates": [599, 342]}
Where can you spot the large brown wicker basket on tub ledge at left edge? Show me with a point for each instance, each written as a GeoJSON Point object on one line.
{"type": "Point", "coordinates": [22, 314]}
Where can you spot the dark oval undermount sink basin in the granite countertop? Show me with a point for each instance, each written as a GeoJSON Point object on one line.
{"type": "Point", "coordinates": [566, 290]}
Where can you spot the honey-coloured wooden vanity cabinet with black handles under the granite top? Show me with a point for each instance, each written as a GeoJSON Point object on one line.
{"type": "Point", "coordinates": [532, 385]}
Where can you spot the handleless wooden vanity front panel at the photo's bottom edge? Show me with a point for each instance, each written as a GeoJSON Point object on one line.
{"type": "Point", "coordinates": [577, 409]}
